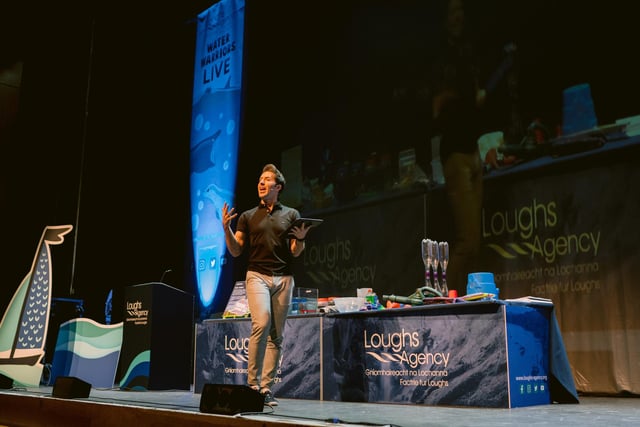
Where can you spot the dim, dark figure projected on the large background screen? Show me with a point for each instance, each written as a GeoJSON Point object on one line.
{"type": "Point", "coordinates": [457, 108]}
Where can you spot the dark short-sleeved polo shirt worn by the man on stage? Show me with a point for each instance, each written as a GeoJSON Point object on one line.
{"type": "Point", "coordinates": [269, 250]}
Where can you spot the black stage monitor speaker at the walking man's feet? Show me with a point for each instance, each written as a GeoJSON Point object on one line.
{"type": "Point", "coordinates": [230, 399]}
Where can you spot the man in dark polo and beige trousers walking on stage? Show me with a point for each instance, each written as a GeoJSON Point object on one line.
{"type": "Point", "coordinates": [269, 278]}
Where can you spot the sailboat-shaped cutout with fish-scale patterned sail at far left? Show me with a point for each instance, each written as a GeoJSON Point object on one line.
{"type": "Point", "coordinates": [23, 329]}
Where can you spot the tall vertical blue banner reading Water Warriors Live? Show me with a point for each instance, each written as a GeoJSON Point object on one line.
{"type": "Point", "coordinates": [215, 128]}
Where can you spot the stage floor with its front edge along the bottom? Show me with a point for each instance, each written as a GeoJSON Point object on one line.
{"type": "Point", "coordinates": [36, 407]}
